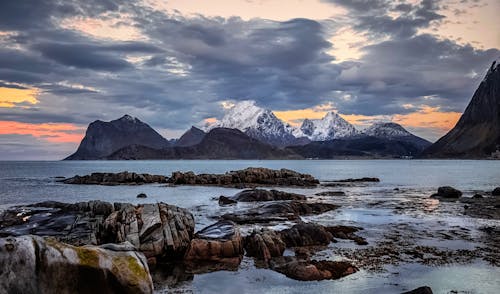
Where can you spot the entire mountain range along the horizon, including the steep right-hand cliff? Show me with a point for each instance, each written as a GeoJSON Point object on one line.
{"type": "Point", "coordinates": [250, 132]}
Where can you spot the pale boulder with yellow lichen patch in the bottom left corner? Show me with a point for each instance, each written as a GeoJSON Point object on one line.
{"type": "Point", "coordinates": [31, 264]}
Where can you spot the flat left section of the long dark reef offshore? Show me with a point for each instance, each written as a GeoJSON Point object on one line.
{"type": "Point", "coordinates": [121, 178]}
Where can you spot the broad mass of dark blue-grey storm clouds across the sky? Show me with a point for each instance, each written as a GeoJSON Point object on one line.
{"type": "Point", "coordinates": [187, 65]}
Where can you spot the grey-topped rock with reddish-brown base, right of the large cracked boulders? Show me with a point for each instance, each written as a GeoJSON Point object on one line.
{"type": "Point", "coordinates": [220, 242]}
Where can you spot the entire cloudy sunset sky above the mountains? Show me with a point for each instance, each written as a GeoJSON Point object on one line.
{"type": "Point", "coordinates": [173, 64]}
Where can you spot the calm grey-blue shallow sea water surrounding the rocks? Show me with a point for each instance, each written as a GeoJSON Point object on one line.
{"type": "Point", "coordinates": [376, 207]}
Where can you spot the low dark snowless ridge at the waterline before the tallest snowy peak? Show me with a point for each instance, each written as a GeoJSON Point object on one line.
{"type": "Point", "coordinates": [219, 143]}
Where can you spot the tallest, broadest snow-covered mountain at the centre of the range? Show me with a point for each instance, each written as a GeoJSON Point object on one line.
{"type": "Point", "coordinates": [258, 123]}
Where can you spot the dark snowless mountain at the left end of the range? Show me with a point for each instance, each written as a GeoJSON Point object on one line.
{"type": "Point", "coordinates": [104, 138]}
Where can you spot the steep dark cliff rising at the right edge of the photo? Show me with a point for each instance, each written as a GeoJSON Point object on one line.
{"type": "Point", "coordinates": [477, 133]}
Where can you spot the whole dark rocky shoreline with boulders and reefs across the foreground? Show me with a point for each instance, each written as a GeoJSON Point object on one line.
{"type": "Point", "coordinates": [159, 243]}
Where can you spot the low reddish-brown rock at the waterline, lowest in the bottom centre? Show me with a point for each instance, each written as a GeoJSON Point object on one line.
{"type": "Point", "coordinates": [305, 270]}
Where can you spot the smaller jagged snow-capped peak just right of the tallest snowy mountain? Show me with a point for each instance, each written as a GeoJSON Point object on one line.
{"type": "Point", "coordinates": [330, 127]}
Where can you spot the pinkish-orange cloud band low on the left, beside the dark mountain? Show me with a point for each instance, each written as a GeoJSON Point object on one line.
{"type": "Point", "coordinates": [52, 132]}
